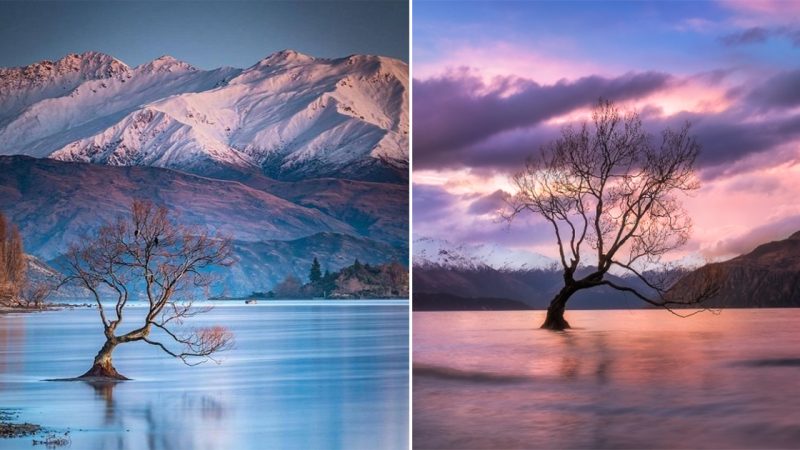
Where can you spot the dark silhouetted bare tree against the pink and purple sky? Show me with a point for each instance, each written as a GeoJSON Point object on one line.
{"type": "Point", "coordinates": [611, 188]}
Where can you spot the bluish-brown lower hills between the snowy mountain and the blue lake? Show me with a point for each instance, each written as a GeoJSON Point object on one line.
{"type": "Point", "coordinates": [277, 227]}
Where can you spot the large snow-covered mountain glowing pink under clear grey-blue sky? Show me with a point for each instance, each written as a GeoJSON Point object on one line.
{"type": "Point", "coordinates": [289, 116]}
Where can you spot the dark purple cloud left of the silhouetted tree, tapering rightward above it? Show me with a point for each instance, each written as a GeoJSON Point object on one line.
{"type": "Point", "coordinates": [457, 110]}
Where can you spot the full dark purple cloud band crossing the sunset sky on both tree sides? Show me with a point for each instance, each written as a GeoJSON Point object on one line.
{"type": "Point", "coordinates": [444, 106]}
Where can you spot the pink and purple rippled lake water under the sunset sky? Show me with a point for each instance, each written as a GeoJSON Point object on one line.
{"type": "Point", "coordinates": [620, 379]}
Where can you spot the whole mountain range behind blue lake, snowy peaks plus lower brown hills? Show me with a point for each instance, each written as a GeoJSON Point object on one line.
{"type": "Point", "coordinates": [295, 157]}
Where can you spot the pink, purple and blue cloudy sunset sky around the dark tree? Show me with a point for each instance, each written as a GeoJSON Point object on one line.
{"type": "Point", "coordinates": [493, 81]}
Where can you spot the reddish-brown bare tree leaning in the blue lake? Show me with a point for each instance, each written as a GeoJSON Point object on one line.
{"type": "Point", "coordinates": [147, 254]}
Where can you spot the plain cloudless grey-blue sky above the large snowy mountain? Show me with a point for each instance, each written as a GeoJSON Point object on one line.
{"type": "Point", "coordinates": [206, 34]}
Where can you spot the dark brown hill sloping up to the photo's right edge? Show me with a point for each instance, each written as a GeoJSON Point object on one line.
{"type": "Point", "coordinates": [767, 277]}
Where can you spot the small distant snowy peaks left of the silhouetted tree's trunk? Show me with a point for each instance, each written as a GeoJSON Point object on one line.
{"type": "Point", "coordinates": [439, 252]}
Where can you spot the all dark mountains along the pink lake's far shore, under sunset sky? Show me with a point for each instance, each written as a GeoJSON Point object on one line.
{"type": "Point", "coordinates": [766, 277]}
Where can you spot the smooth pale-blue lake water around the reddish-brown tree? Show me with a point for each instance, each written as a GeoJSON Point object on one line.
{"type": "Point", "coordinates": [302, 375]}
